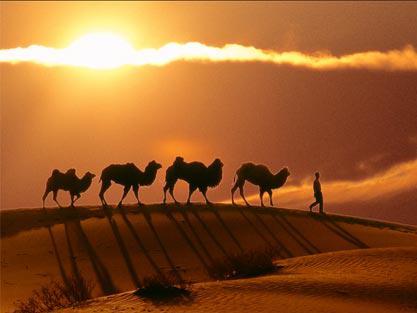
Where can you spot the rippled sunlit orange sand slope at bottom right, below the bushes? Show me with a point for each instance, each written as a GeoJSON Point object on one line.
{"type": "Point", "coordinates": [372, 280]}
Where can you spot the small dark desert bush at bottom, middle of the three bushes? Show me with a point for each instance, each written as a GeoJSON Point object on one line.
{"type": "Point", "coordinates": [163, 288]}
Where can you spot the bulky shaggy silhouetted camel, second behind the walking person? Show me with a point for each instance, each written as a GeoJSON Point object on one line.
{"type": "Point", "coordinates": [196, 174]}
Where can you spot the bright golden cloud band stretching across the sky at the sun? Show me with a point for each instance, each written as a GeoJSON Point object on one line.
{"type": "Point", "coordinates": [108, 52]}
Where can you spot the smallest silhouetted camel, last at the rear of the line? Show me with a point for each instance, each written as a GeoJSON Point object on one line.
{"type": "Point", "coordinates": [67, 181]}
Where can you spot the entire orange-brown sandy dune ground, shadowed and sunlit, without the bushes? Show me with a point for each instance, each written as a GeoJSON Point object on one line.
{"type": "Point", "coordinates": [331, 263]}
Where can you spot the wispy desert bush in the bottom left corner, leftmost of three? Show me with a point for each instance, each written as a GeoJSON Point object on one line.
{"type": "Point", "coordinates": [56, 295]}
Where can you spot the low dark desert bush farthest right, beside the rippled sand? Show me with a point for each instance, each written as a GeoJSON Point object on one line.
{"type": "Point", "coordinates": [246, 264]}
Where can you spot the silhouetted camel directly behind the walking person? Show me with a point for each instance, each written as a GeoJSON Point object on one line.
{"type": "Point", "coordinates": [261, 176]}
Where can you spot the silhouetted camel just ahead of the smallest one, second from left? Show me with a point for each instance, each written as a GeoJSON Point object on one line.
{"type": "Point", "coordinates": [129, 176]}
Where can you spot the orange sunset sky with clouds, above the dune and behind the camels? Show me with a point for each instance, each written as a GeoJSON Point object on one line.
{"type": "Point", "coordinates": [308, 85]}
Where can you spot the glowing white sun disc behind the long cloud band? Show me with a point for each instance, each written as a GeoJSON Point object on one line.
{"type": "Point", "coordinates": [102, 50]}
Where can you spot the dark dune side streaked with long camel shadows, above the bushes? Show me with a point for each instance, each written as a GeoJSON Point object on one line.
{"type": "Point", "coordinates": [118, 249]}
